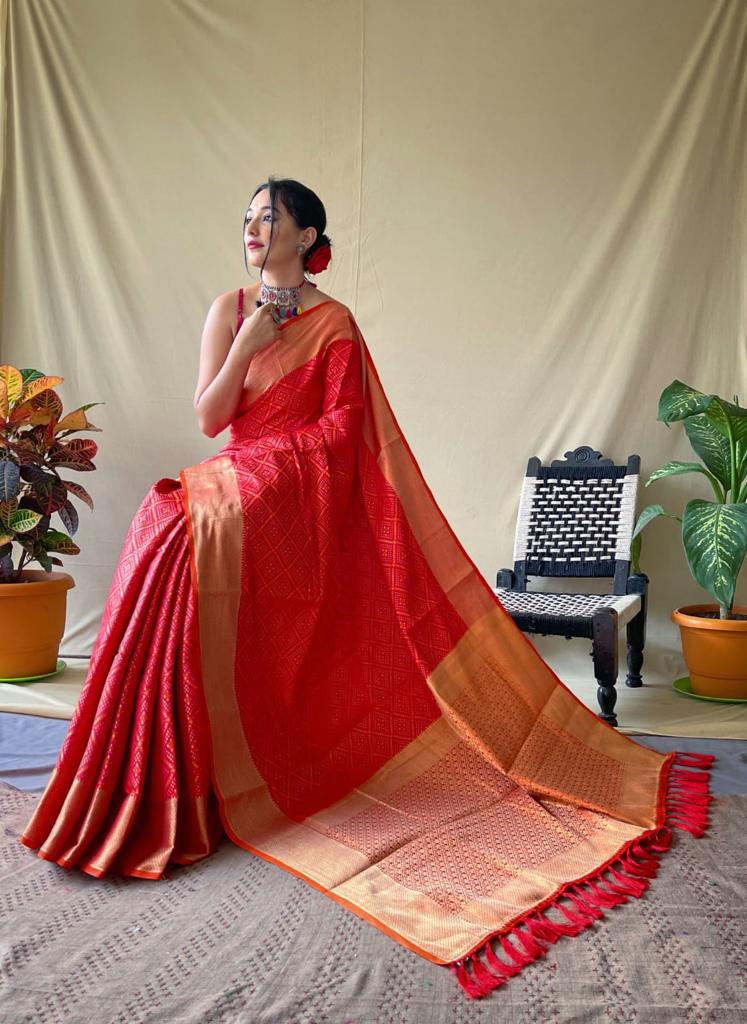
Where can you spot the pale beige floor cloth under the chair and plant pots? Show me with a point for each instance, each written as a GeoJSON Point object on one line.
{"type": "Point", "coordinates": [655, 708]}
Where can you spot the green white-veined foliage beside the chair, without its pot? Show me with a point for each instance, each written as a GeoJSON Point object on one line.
{"type": "Point", "coordinates": [715, 533]}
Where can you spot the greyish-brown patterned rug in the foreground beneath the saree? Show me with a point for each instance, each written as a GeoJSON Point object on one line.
{"type": "Point", "coordinates": [235, 940]}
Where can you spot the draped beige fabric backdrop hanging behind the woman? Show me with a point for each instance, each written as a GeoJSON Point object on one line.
{"type": "Point", "coordinates": [538, 212]}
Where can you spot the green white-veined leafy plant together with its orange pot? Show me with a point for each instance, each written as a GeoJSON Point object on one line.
{"type": "Point", "coordinates": [715, 537]}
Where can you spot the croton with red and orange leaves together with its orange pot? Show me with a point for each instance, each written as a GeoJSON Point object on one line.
{"type": "Point", "coordinates": [34, 447]}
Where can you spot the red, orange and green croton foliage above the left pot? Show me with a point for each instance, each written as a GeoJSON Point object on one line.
{"type": "Point", "coordinates": [34, 447]}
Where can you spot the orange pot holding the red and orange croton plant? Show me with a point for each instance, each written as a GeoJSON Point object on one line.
{"type": "Point", "coordinates": [32, 623]}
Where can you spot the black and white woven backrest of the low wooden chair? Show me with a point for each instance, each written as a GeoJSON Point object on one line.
{"type": "Point", "coordinates": [576, 519]}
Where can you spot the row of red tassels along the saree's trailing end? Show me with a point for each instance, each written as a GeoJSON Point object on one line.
{"type": "Point", "coordinates": [687, 808]}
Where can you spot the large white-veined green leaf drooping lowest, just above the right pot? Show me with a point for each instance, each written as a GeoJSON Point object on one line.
{"type": "Point", "coordinates": [716, 543]}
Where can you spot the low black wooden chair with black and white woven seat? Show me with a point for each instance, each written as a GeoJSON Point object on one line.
{"type": "Point", "coordinates": [576, 519]}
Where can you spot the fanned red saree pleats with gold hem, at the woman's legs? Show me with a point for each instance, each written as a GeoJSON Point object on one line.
{"type": "Point", "coordinates": [132, 788]}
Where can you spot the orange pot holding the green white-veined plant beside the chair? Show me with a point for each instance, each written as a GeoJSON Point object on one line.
{"type": "Point", "coordinates": [716, 651]}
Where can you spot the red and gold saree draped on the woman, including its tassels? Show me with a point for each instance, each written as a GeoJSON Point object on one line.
{"type": "Point", "coordinates": [298, 652]}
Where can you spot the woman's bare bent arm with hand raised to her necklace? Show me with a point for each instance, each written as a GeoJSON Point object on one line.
{"type": "Point", "coordinates": [224, 365]}
